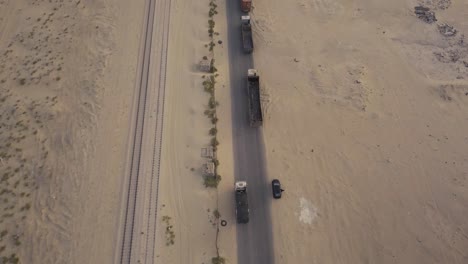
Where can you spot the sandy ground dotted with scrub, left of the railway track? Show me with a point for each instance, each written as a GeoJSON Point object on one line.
{"type": "Point", "coordinates": [67, 77]}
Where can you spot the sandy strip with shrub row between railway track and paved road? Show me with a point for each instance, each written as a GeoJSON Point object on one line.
{"type": "Point", "coordinates": [182, 195]}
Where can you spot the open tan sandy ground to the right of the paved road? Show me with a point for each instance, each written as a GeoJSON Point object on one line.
{"type": "Point", "coordinates": [366, 127]}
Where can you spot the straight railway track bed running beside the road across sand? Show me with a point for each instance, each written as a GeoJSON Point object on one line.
{"type": "Point", "coordinates": [138, 228]}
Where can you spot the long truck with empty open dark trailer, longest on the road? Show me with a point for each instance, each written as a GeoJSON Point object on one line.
{"type": "Point", "coordinates": [255, 106]}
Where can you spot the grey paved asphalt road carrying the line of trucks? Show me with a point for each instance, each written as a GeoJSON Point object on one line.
{"type": "Point", "coordinates": [254, 240]}
